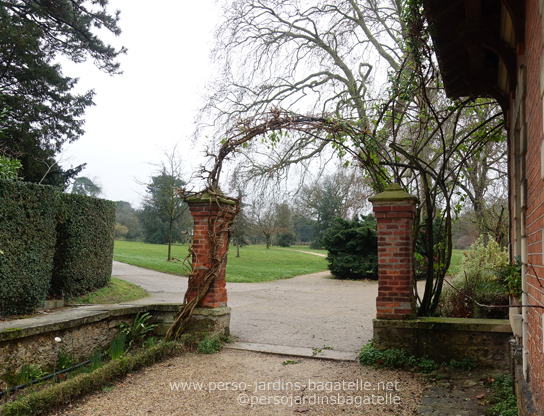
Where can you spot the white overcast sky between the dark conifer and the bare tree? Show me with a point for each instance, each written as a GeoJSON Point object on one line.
{"type": "Point", "coordinates": [152, 106]}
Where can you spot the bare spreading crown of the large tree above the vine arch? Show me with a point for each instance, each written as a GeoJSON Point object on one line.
{"type": "Point", "coordinates": [296, 54]}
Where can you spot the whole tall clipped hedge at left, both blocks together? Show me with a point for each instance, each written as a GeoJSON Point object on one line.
{"type": "Point", "coordinates": [51, 243]}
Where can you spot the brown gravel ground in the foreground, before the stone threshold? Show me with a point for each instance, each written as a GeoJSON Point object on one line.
{"type": "Point", "coordinates": [268, 379]}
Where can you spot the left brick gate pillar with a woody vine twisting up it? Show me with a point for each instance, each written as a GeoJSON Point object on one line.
{"type": "Point", "coordinates": [207, 208]}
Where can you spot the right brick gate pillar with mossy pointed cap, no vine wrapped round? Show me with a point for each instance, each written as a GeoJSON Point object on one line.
{"type": "Point", "coordinates": [395, 211]}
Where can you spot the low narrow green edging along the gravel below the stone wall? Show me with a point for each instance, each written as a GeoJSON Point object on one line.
{"type": "Point", "coordinates": [60, 394]}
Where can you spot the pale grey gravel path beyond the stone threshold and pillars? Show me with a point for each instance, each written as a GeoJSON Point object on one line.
{"type": "Point", "coordinates": [310, 311]}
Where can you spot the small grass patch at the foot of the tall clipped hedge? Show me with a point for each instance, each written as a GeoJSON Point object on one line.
{"type": "Point", "coordinates": [117, 291]}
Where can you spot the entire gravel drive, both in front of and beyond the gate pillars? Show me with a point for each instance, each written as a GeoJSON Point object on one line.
{"type": "Point", "coordinates": [306, 311]}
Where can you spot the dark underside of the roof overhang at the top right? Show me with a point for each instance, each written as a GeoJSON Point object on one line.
{"type": "Point", "coordinates": [476, 42]}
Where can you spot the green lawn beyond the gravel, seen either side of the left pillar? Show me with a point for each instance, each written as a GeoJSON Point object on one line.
{"type": "Point", "coordinates": [255, 264]}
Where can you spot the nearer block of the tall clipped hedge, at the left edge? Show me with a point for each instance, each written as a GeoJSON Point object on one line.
{"type": "Point", "coordinates": [27, 244]}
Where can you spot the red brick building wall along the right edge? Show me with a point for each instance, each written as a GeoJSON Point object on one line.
{"type": "Point", "coordinates": [535, 207]}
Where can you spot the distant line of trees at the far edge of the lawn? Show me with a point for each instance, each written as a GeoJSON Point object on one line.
{"type": "Point", "coordinates": [301, 220]}
